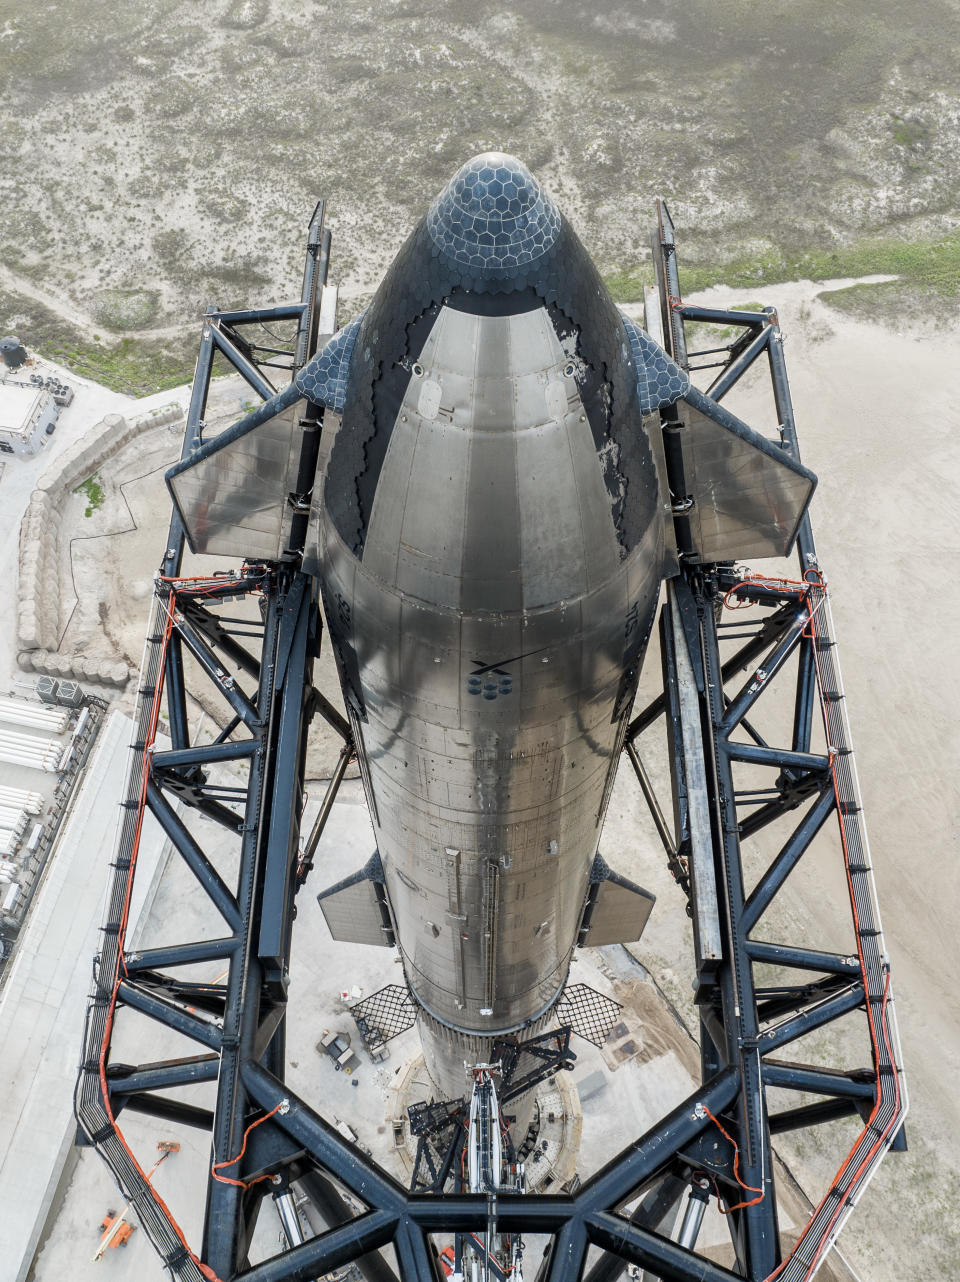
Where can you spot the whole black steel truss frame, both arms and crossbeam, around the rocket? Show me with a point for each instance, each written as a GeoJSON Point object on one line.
{"type": "Point", "coordinates": [261, 665]}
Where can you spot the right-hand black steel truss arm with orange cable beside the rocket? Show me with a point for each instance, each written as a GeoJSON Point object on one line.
{"type": "Point", "coordinates": [744, 1020]}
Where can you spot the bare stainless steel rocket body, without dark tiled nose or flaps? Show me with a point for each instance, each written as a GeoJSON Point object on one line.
{"type": "Point", "coordinates": [490, 631]}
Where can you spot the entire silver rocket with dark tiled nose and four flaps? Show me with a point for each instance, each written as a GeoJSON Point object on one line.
{"type": "Point", "coordinates": [493, 531]}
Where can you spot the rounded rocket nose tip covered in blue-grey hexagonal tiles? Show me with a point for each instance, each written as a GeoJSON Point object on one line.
{"type": "Point", "coordinates": [494, 216]}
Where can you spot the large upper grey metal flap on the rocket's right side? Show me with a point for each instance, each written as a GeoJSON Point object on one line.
{"type": "Point", "coordinates": [749, 494]}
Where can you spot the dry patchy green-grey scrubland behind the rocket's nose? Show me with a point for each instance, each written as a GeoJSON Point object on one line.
{"type": "Point", "coordinates": [157, 157]}
